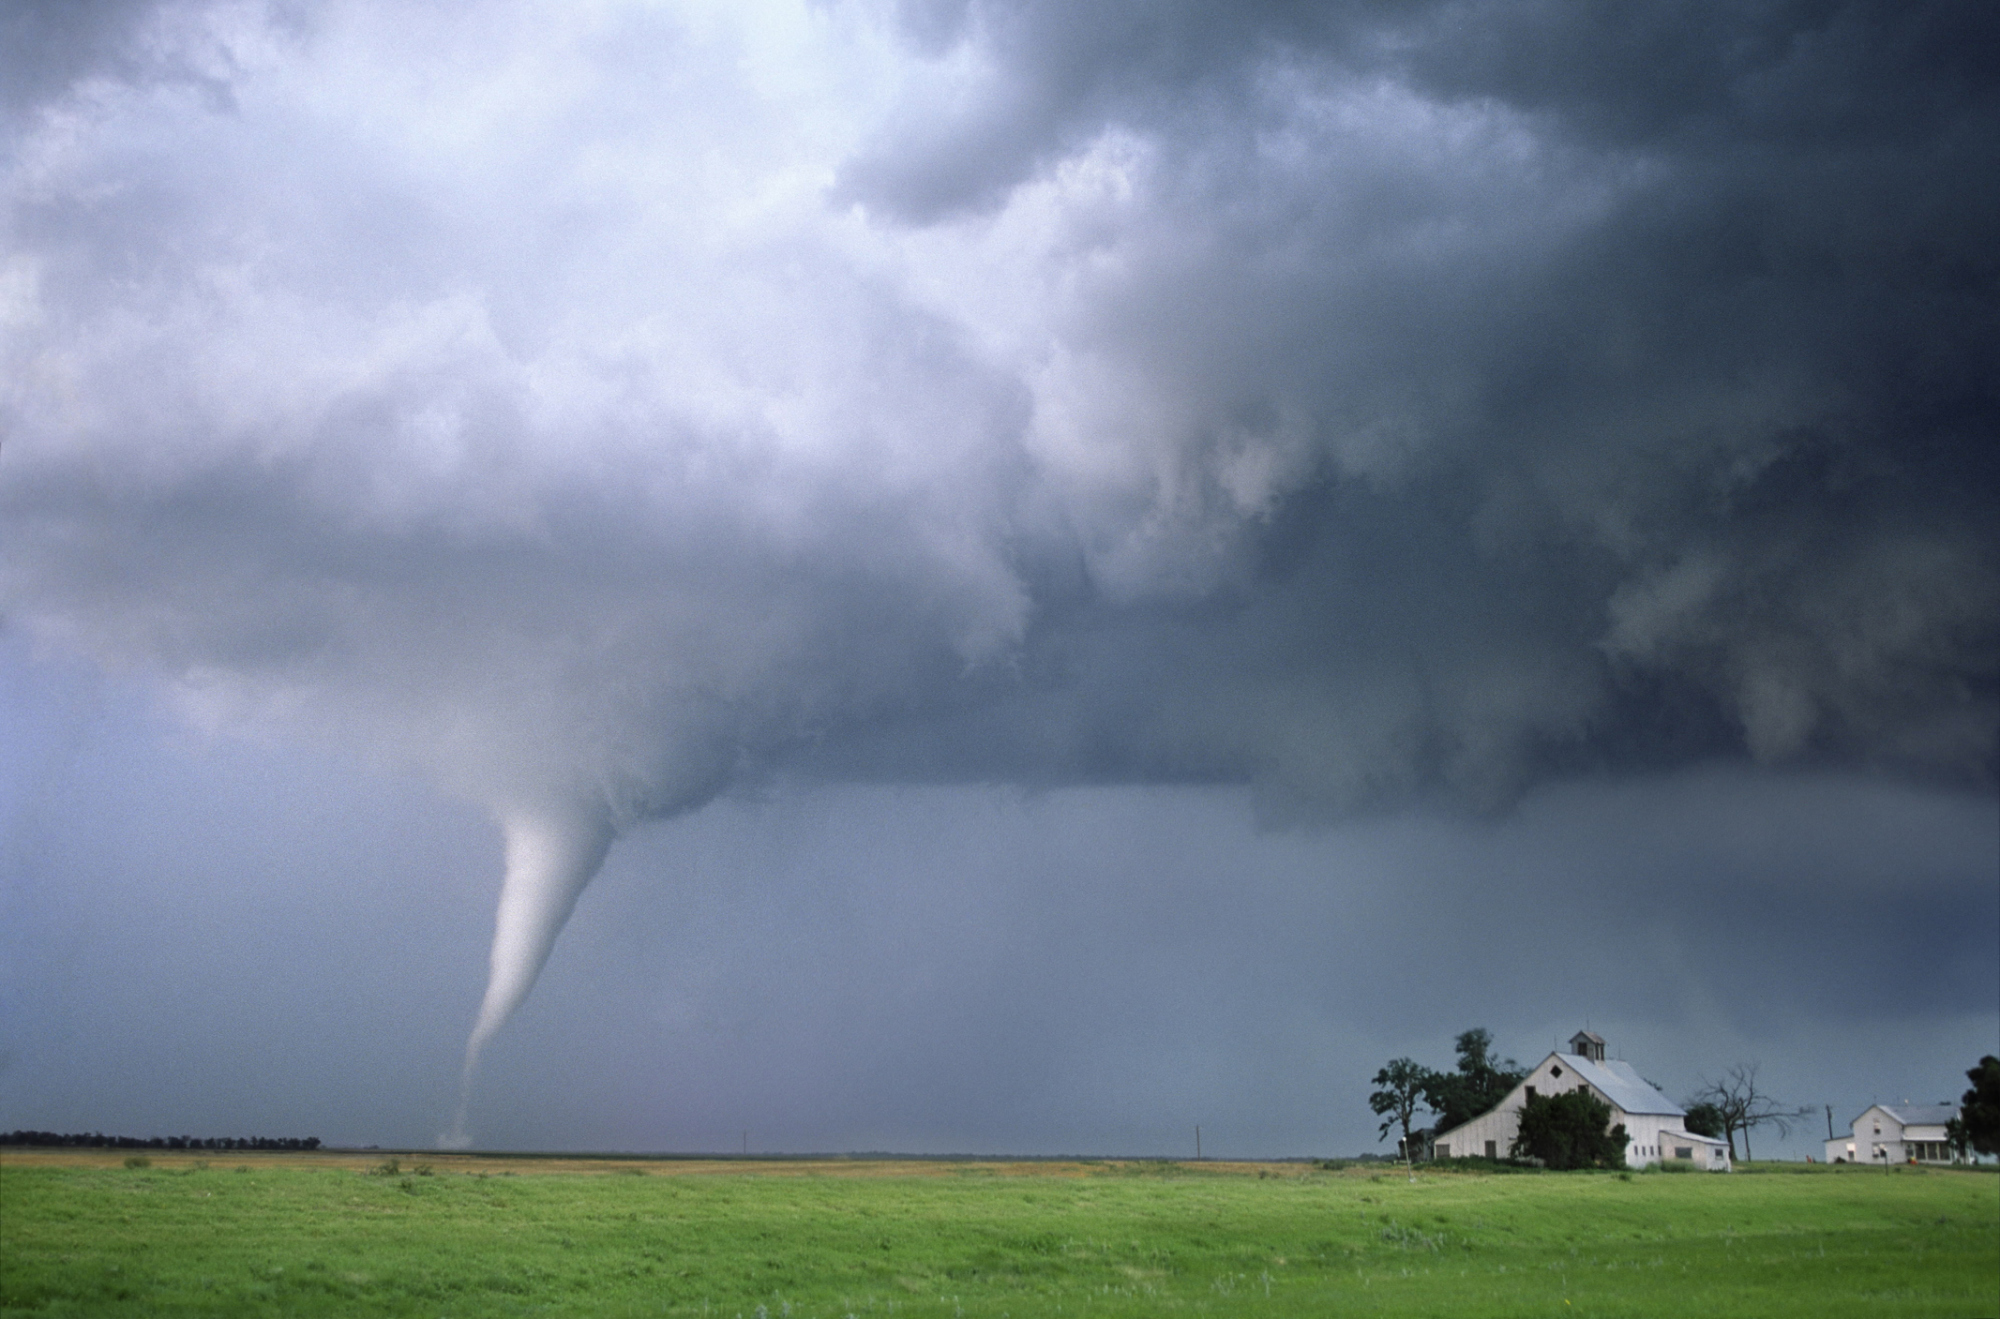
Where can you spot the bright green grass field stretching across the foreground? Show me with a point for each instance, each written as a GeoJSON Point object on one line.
{"type": "Point", "coordinates": [331, 1236]}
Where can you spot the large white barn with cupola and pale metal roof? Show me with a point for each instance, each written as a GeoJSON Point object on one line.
{"type": "Point", "coordinates": [1653, 1122]}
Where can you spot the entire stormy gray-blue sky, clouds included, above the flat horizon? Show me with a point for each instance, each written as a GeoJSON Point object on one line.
{"type": "Point", "coordinates": [1099, 569]}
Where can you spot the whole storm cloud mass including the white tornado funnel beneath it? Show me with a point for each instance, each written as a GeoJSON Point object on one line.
{"type": "Point", "coordinates": [603, 407]}
